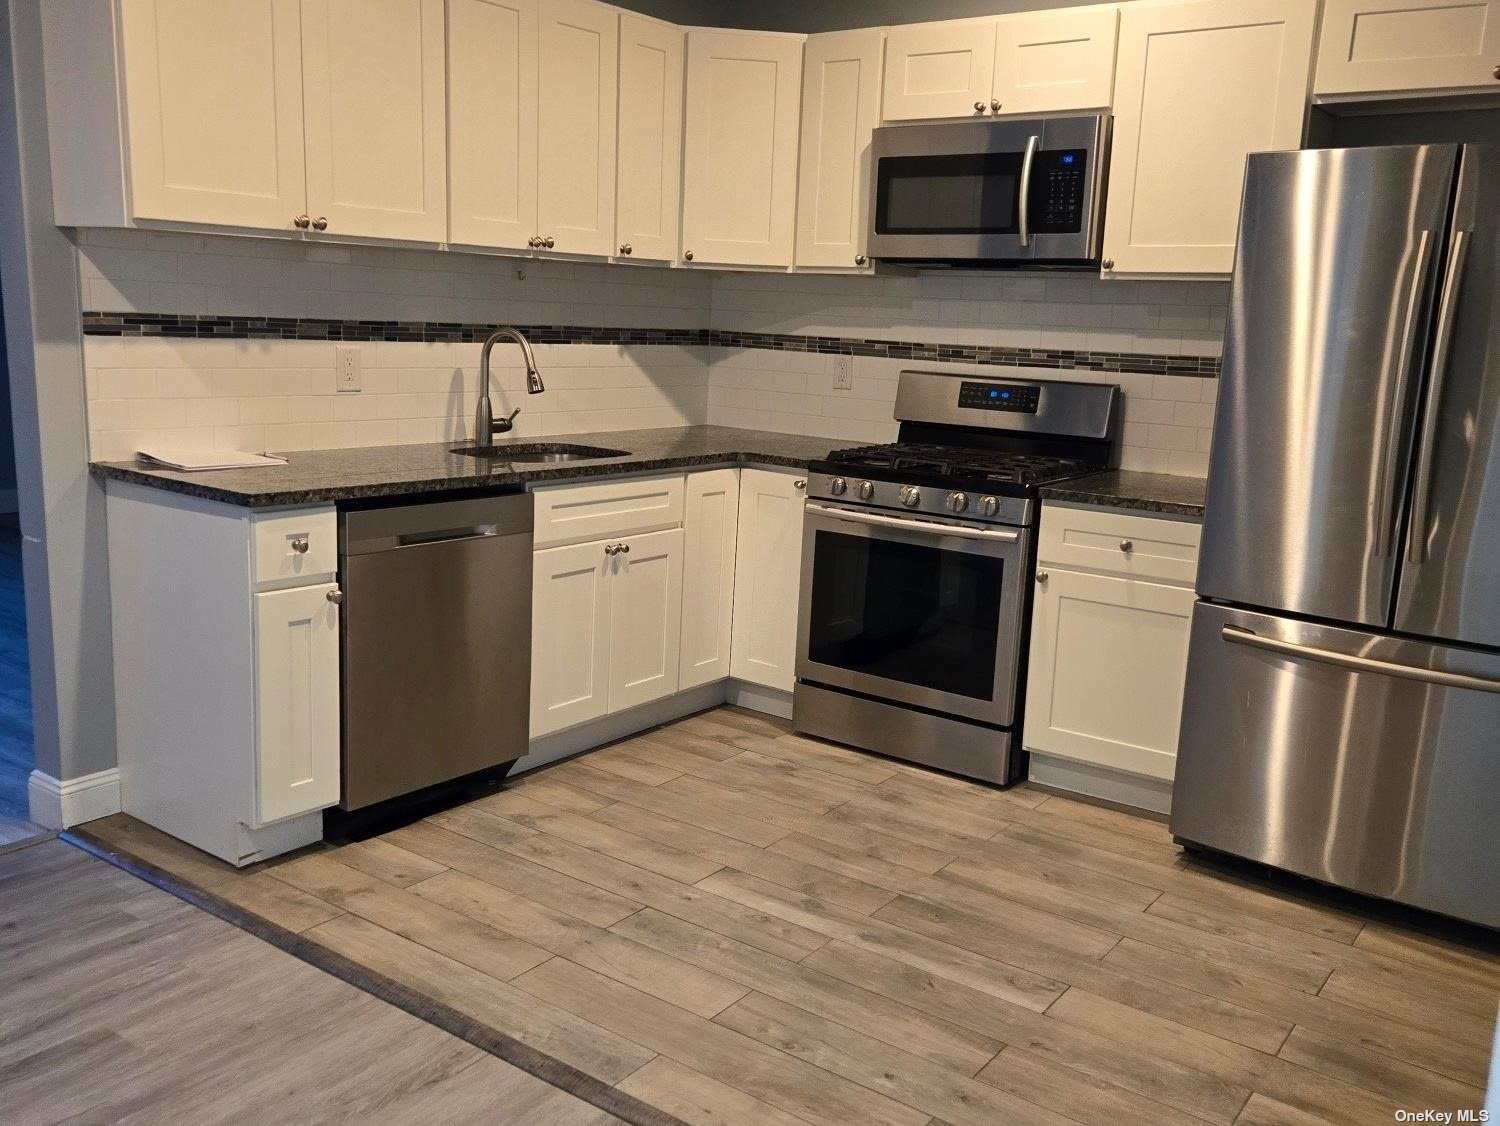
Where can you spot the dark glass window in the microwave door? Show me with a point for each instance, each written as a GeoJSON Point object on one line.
{"type": "Point", "coordinates": [965, 194]}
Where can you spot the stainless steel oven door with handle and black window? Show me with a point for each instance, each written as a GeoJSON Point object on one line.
{"type": "Point", "coordinates": [913, 611]}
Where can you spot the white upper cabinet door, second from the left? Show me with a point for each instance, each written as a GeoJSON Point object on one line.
{"type": "Point", "coordinates": [374, 95]}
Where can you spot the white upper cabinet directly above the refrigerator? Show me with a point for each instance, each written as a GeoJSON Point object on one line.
{"type": "Point", "coordinates": [1370, 47]}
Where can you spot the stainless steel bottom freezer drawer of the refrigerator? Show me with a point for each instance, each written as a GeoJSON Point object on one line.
{"type": "Point", "coordinates": [1337, 755]}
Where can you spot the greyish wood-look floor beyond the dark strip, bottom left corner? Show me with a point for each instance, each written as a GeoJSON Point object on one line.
{"type": "Point", "coordinates": [121, 1004]}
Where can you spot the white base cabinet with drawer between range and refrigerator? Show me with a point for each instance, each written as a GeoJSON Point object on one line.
{"type": "Point", "coordinates": [1109, 650]}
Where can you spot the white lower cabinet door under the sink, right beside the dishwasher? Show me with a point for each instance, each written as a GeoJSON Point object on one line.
{"type": "Point", "coordinates": [569, 636]}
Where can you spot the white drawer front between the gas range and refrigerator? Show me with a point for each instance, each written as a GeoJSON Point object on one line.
{"type": "Point", "coordinates": [1138, 547]}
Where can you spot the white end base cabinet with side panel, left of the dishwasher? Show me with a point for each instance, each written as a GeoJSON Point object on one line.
{"type": "Point", "coordinates": [227, 669]}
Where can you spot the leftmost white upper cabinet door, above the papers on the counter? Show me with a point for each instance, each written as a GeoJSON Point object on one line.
{"type": "Point", "coordinates": [214, 110]}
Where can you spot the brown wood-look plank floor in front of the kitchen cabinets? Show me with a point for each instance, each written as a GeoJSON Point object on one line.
{"type": "Point", "coordinates": [742, 926]}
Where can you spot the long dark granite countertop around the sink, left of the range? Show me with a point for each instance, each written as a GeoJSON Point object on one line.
{"type": "Point", "coordinates": [328, 476]}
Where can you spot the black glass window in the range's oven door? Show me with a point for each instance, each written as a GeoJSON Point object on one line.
{"type": "Point", "coordinates": [907, 612]}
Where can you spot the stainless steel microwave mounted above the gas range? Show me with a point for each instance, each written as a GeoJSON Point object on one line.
{"type": "Point", "coordinates": [1022, 194]}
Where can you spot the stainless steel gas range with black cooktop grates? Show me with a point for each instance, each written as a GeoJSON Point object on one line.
{"type": "Point", "coordinates": [919, 562]}
